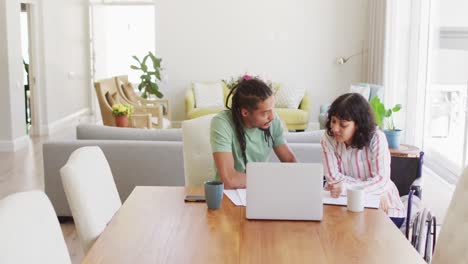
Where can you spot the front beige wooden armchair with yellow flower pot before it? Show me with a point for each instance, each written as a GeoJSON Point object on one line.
{"type": "Point", "coordinates": [108, 95]}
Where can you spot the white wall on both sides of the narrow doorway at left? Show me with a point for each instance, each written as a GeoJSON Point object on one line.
{"type": "Point", "coordinates": [62, 63]}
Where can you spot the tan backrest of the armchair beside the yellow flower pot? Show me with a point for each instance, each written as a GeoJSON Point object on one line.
{"type": "Point", "coordinates": [105, 90]}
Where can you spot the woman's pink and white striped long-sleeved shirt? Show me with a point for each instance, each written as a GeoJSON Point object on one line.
{"type": "Point", "coordinates": [368, 167]}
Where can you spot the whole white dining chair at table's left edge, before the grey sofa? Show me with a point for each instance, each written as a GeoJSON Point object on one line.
{"type": "Point", "coordinates": [91, 193]}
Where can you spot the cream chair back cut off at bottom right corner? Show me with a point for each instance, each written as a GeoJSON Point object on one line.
{"type": "Point", "coordinates": [452, 244]}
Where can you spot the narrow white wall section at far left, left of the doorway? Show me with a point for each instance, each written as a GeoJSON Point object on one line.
{"type": "Point", "coordinates": [11, 75]}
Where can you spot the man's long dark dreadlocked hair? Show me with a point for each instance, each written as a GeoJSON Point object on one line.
{"type": "Point", "coordinates": [246, 94]}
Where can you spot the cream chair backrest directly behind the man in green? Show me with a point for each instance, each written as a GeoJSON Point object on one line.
{"type": "Point", "coordinates": [198, 157]}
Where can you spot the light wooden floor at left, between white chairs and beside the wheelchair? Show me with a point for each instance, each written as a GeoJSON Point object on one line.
{"type": "Point", "coordinates": [23, 170]}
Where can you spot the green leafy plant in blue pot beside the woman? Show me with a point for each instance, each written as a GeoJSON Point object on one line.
{"type": "Point", "coordinates": [386, 114]}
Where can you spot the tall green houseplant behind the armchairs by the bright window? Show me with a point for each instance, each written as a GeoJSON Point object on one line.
{"type": "Point", "coordinates": [150, 75]}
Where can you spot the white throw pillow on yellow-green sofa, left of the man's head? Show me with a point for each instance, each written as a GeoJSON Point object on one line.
{"type": "Point", "coordinates": [208, 94]}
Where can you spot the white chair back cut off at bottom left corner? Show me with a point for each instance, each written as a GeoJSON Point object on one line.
{"type": "Point", "coordinates": [30, 231]}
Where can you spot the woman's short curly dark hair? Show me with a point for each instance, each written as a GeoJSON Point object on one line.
{"type": "Point", "coordinates": [354, 107]}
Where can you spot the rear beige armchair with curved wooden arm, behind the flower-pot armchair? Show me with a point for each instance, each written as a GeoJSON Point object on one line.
{"type": "Point", "coordinates": [126, 91]}
